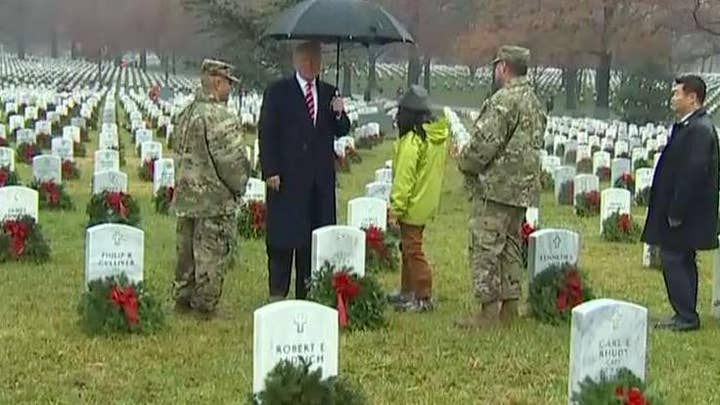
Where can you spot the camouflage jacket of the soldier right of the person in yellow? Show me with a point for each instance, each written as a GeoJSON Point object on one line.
{"type": "Point", "coordinates": [502, 160]}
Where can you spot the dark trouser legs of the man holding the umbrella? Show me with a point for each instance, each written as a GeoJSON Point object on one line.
{"type": "Point", "coordinates": [280, 268]}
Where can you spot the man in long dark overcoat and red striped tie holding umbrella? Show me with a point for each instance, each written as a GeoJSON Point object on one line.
{"type": "Point", "coordinates": [299, 120]}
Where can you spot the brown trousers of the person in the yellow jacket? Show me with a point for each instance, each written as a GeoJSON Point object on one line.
{"type": "Point", "coordinates": [416, 276]}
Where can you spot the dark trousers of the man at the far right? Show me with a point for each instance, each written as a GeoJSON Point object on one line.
{"type": "Point", "coordinates": [681, 282]}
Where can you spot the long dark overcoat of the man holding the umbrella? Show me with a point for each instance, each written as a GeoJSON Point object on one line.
{"type": "Point", "coordinates": [303, 155]}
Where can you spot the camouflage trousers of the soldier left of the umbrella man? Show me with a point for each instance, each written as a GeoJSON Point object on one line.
{"type": "Point", "coordinates": [204, 251]}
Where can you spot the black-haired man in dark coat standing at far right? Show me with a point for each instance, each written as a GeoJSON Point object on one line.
{"type": "Point", "coordinates": [683, 212]}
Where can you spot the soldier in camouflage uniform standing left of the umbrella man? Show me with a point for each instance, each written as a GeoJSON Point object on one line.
{"type": "Point", "coordinates": [212, 171]}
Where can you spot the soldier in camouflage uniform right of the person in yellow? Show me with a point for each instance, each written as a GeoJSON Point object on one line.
{"type": "Point", "coordinates": [501, 164]}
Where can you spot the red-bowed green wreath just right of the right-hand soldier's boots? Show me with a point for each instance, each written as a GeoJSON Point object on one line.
{"type": "Point", "coordinates": [555, 292]}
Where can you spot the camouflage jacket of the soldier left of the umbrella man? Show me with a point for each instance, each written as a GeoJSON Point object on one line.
{"type": "Point", "coordinates": [210, 162]}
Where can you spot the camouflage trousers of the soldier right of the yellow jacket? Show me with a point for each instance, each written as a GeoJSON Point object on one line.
{"type": "Point", "coordinates": [495, 253]}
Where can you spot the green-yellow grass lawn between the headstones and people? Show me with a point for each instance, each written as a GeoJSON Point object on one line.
{"type": "Point", "coordinates": [418, 359]}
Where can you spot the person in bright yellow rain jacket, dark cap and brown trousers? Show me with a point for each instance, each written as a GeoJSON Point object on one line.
{"type": "Point", "coordinates": [418, 167]}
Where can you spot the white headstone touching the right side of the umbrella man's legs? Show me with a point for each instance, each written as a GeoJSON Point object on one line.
{"type": "Point", "coordinates": [341, 246]}
